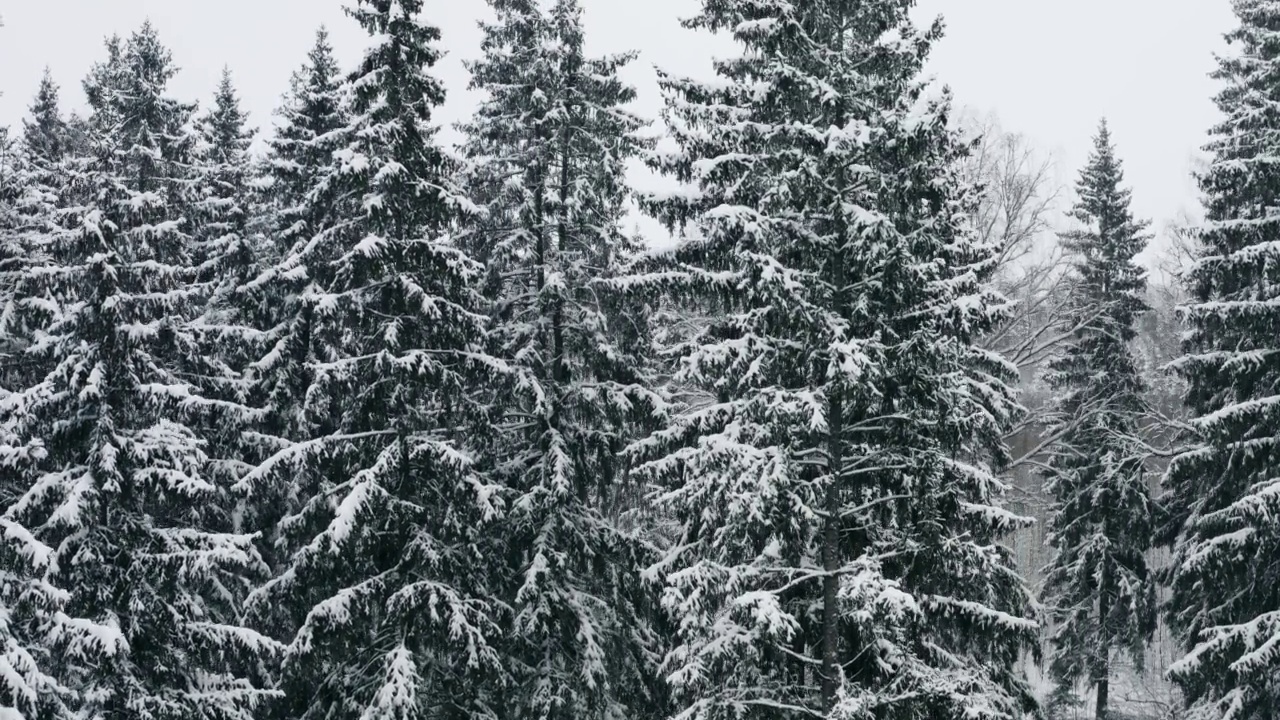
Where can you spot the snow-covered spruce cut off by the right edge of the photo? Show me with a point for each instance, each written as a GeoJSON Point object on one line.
{"type": "Point", "coordinates": [1224, 494]}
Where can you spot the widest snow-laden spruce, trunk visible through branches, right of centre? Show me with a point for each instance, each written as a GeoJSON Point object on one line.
{"type": "Point", "coordinates": [840, 549]}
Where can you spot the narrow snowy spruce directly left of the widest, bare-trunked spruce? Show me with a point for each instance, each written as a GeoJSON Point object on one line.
{"type": "Point", "coordinates": [548, 151]}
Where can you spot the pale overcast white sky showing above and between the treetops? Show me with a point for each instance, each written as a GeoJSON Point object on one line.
{"type": "Point", "coordinates": [1049, 70]}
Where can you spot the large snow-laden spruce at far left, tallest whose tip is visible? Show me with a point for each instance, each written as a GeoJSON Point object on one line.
{"type": "Point", "coordinates": [120, 514]}
